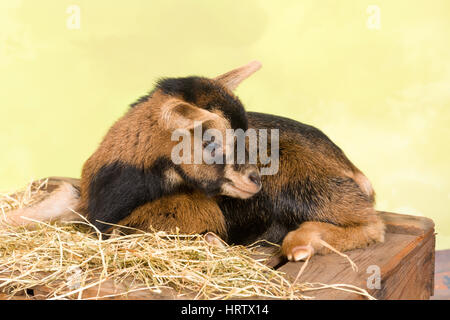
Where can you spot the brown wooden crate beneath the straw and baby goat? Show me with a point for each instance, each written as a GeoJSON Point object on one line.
{"type": "Point", "coordinates": [405, 262]}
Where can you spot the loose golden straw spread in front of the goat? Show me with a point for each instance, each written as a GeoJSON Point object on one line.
{"type": "Point", "coordinates": [66, 262]}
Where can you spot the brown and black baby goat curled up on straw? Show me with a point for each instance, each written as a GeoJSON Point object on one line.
{"type": "Point", "coordinates": [317, 194]}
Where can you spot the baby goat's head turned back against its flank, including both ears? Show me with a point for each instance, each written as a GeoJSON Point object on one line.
{"type": "Point", "coordinates": [199, 115]}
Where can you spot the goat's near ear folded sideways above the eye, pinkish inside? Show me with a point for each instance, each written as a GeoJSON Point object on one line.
{"type": "Point", "coordinates": [177, 114]}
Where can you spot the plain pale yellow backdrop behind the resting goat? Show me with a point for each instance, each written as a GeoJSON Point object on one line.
{"type": "Point", "coordinates": [382, 95]}
